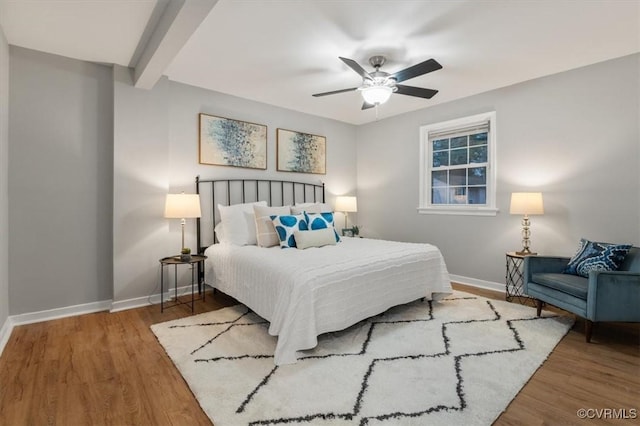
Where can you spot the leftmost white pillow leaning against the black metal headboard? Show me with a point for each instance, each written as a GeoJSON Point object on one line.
{"type": "Point", "coordinates": [238, 223]}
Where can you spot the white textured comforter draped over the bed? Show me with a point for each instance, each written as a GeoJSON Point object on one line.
{"type": "Point", "coordinates": [304, 293]}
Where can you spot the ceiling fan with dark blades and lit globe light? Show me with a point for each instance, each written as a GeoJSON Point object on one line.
{"type": "Point", "coordinates": [378, 86]}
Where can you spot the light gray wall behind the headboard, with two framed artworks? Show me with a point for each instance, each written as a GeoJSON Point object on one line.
{"type": "Point", "coordinates": [156, 152]}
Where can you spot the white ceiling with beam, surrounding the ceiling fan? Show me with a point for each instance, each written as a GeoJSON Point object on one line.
{"type": "Point", "coordinates": [281, 51]}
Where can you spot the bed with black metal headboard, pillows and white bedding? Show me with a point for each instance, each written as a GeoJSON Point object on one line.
{"type": "Point", "coordinates": [307, 292]}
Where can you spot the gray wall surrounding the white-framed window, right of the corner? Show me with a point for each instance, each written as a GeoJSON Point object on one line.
{"type": "Point", "coordinates": [573, 136]}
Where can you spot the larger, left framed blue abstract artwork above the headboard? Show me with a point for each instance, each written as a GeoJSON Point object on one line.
{"type": "Point", "coordinates": [228, 142]}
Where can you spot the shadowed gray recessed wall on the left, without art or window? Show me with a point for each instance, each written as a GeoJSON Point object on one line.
{"type": "Point", "coordinates": [60, 181]}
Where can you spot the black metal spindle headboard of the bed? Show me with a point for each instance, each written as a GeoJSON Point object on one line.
{"type": "Point", "coordinates": [235, 191]}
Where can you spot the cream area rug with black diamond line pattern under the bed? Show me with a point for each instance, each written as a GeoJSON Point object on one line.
{"type": "Point", "coordinates": [459, 361]}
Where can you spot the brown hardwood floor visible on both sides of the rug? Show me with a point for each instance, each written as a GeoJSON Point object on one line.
{"type": "Point", "coordinates": [109, 369]}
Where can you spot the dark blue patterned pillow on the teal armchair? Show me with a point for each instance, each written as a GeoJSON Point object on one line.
{"type": "Point", "coordinates": [592, 256]}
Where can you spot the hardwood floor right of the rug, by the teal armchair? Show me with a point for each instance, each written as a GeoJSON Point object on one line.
{"type": "Point", "coordinates": [604, 374]}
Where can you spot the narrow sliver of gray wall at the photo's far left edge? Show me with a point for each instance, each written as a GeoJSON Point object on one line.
{"type": "Point", "coordinates": [4, 176]}
